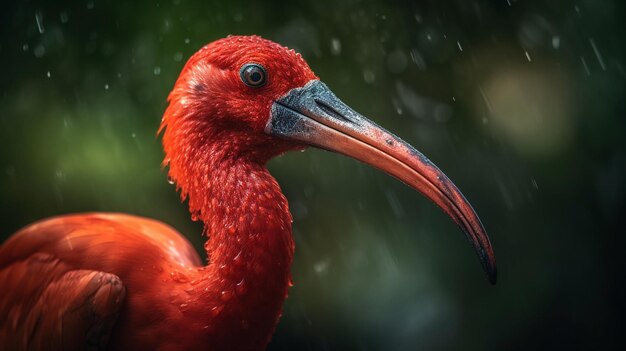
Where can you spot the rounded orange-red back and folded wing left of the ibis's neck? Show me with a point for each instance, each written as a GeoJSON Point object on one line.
{"type": "Point", "coordinates": [61, 278]}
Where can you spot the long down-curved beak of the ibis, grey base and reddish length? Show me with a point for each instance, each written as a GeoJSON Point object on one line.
{"type": "Point", "coordinates": [313, 115]}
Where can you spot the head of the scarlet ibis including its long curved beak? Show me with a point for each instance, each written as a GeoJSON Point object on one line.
{"type": "Point", "coordinates": [257, 99]}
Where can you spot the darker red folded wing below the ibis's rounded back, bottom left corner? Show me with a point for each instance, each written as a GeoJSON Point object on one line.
{"type": "Point", "coordinates": [47, 305]}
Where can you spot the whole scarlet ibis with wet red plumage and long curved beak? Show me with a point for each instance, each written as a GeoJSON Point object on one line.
{"type": "Point", "coordinates": [99, 280]}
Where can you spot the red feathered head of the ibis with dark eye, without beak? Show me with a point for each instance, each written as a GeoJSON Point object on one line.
{"type": "Point", "coordinates": [226, 92]}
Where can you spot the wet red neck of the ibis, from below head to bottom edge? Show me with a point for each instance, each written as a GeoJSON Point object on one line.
{"type": "Point", "coordinates": [249, 247]}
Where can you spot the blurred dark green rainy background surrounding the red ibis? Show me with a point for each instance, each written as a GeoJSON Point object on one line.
{"type": "Point", "coordinates": [520, 102]}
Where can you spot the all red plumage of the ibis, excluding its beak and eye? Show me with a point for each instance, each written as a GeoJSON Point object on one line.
{"type": "Point", "coordinates": [216, 153]}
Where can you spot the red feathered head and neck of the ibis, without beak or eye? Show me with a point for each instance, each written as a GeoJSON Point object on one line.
{"type": "Point", "coordinates": [216, 151]}
